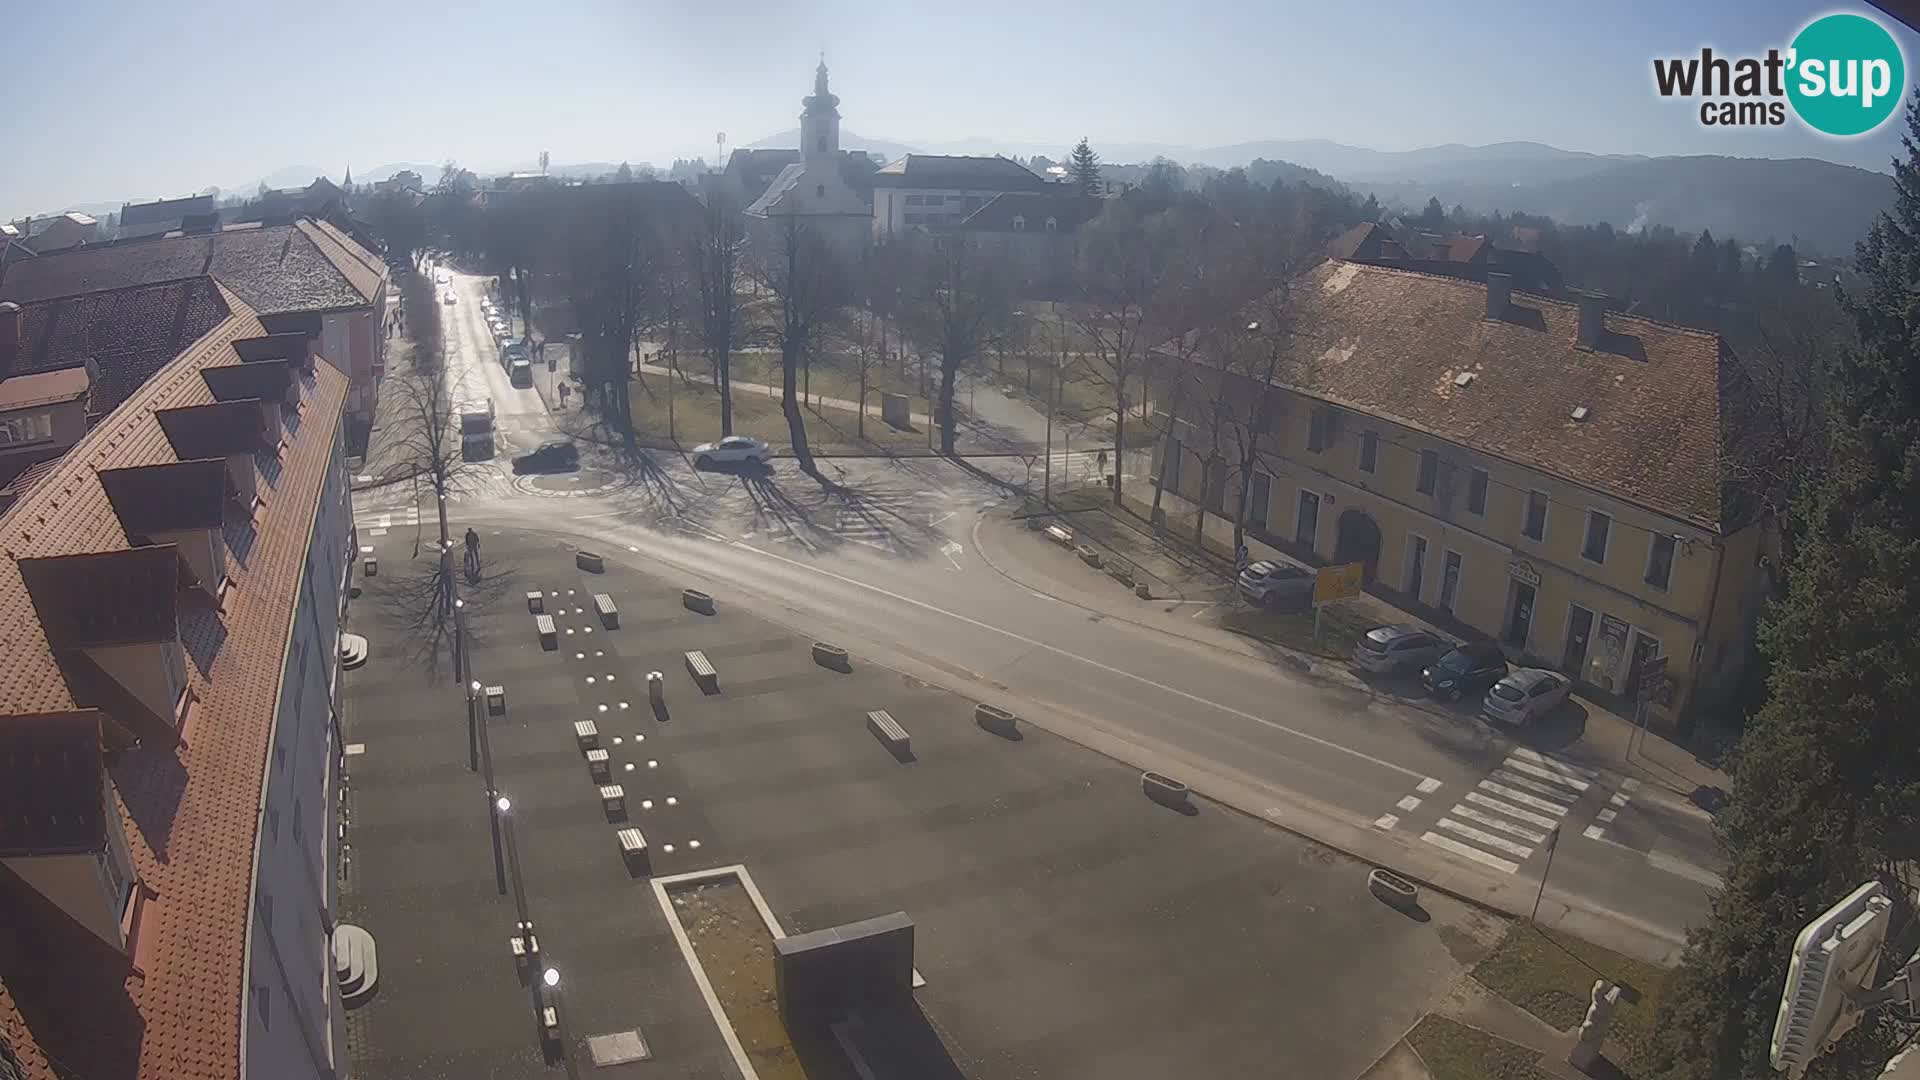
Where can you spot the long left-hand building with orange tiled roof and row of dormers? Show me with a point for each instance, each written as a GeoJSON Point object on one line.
{"type": "Point", "coordinates": [172, 597]}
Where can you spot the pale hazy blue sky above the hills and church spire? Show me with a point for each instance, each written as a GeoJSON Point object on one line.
{"type": "Point", "coordinates": [168, 99]}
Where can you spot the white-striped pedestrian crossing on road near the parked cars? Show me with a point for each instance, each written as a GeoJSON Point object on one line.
{"type": "Point", "coordinates": [1512, 814]}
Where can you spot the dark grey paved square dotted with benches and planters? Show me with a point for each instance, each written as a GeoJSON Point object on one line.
{"type": "Point", "coordinates": [1065, 923]}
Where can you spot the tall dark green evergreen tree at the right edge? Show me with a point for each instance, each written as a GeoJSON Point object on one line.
{"type": "Point", "coordinates": [1829, 785]}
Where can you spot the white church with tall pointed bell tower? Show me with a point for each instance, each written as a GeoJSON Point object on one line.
{"type": "Point", "coordinates": [815, 191]}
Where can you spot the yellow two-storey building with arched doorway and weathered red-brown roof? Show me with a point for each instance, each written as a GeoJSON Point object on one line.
{"type": "Point", "coordinates": [1541, 474]}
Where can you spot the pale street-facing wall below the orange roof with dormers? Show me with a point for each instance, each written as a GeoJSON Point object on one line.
{"type": "Point", "coordinates": [293, 1000]}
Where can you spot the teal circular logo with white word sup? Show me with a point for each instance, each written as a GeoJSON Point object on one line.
{"type": "Point", "coordinates": [1846, 76]}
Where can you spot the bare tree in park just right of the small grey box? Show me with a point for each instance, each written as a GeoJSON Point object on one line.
{"type": "Point", "coordinates": [957, 303]}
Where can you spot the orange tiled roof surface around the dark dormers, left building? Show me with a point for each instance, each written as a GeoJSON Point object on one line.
{"type": "Point", "coordinates": [189, 810]}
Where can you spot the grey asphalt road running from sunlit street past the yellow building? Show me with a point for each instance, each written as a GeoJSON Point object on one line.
{"type": "Point", "coordinates": [892, 564]}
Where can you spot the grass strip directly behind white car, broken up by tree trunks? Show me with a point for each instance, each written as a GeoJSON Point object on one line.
{"type": "Point", "coordinates": [696, 418]}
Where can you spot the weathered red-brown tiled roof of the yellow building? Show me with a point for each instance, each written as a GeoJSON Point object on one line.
{"type": "Point", "coordinates": [1389, 343]}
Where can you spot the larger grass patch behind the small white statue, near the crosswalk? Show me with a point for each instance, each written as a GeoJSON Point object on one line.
{"type": "Point", "coordinates": [1550, 975]}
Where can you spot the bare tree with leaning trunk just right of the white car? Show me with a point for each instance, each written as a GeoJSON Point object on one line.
{"type": "Point", "coordinates": [809, 289]}
